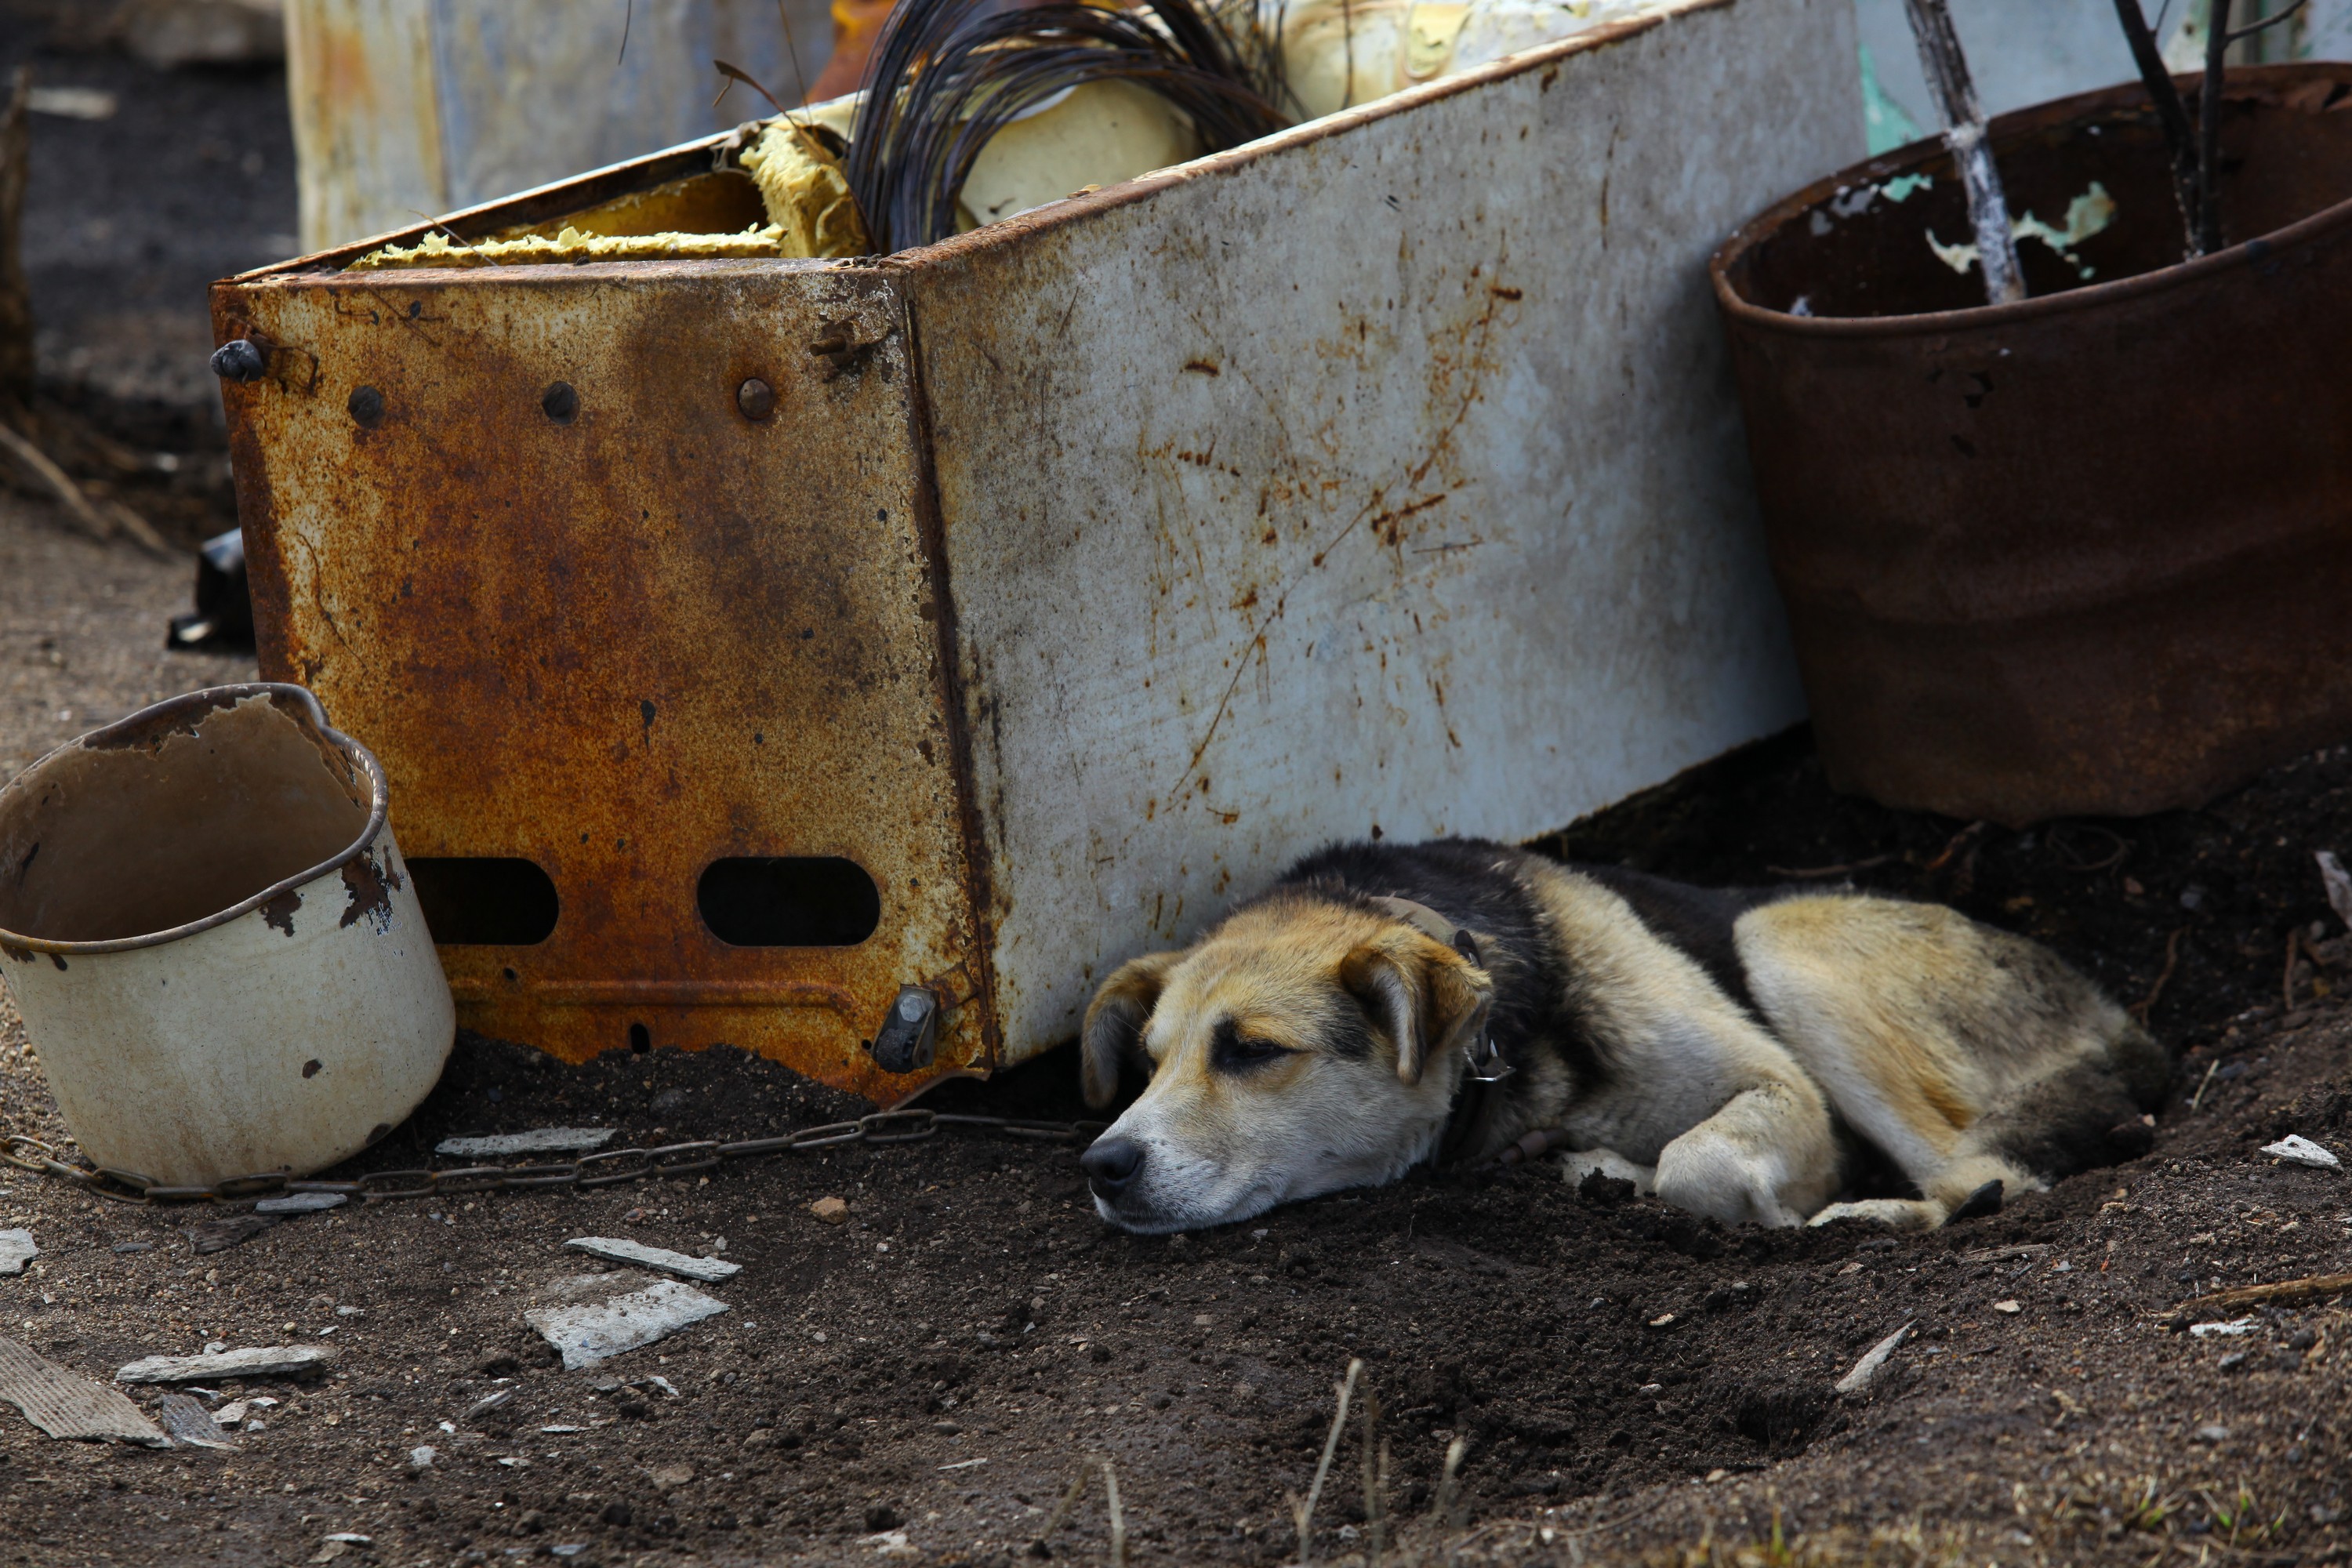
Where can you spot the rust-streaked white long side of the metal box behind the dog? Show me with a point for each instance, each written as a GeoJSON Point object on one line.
{"type": "Point", "coordinates": [1382, 478]}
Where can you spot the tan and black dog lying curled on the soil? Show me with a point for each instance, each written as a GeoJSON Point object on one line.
{"type": "Point", "coordinates": [1742, 1054]}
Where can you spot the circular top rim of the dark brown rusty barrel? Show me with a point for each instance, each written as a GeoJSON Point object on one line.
{"type": "Point", "coordinates": [2003, 133]}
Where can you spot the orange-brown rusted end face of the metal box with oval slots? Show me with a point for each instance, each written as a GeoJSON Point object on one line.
{"type": "Point", "coordinates": [516, 530]}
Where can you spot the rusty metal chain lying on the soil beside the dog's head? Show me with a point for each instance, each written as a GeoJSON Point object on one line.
{"type": "Point", "coordinates": [606, 1170]}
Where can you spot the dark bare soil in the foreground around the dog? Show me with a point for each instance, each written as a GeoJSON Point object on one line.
{"type": "Point", "coordinates": [926, 1379]}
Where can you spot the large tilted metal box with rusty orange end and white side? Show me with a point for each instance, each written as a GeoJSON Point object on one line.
{"type": "Point", "coordinates": [1377, 478]}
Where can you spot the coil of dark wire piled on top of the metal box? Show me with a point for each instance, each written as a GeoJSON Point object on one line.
{"type": "Point", "coordinates": [951, 74]}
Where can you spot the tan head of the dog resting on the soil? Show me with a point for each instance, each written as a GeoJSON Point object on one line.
{"type": "Point", "coordinates": [1302, 1047]}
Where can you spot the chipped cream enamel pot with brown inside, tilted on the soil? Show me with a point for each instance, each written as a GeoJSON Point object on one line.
{"type": "Point", "coordinates": [215, 944]}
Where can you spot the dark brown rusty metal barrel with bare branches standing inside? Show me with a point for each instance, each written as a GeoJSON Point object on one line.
{"type": "Point", "coordinates": [2090, 554]}
